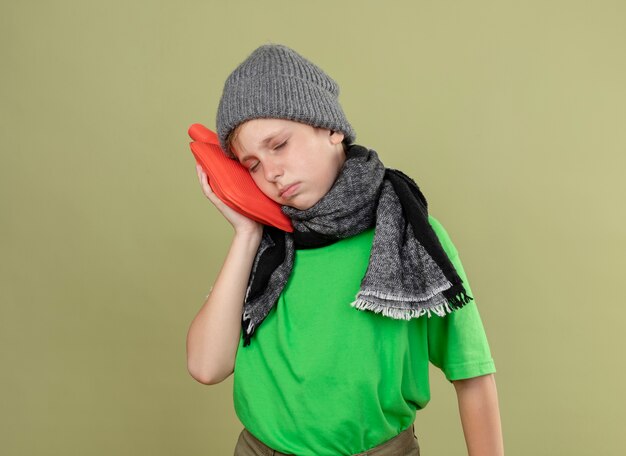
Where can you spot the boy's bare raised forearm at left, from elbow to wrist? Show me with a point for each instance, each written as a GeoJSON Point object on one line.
{"type": "Point", "coordinates": [214, 333]}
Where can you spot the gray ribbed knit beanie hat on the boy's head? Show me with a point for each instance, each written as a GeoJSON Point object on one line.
{"type": "Point", "coordinates": [275, 81]}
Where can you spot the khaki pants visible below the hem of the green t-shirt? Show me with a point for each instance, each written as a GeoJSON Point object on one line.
{"type": "Point", "coordinates": [404, 444]}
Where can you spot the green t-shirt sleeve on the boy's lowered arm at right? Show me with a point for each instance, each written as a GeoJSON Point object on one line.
{"type": "Point", "coordinates": [457, 343]}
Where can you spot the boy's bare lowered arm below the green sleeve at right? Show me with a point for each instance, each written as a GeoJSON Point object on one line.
{"type": "Point", "coordinates": [480, 415]}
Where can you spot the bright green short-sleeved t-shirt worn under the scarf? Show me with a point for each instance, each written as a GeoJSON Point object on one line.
{"type": "Point", "coordinates": [321, 377]}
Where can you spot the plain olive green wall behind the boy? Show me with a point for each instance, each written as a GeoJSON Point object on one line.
{"type": "Point", "coordinates": [510, 115]}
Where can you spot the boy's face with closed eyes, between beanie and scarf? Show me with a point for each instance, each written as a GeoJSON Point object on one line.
{"type": "Point", "coordinates": [279, 153]}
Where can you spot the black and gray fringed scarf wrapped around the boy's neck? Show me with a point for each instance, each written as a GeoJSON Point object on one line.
{"type": "Point", "coordinates": [409, 273]}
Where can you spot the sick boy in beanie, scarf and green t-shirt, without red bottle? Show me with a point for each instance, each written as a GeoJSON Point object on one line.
{"type": "Point", "coordinates": [318, 372]}
